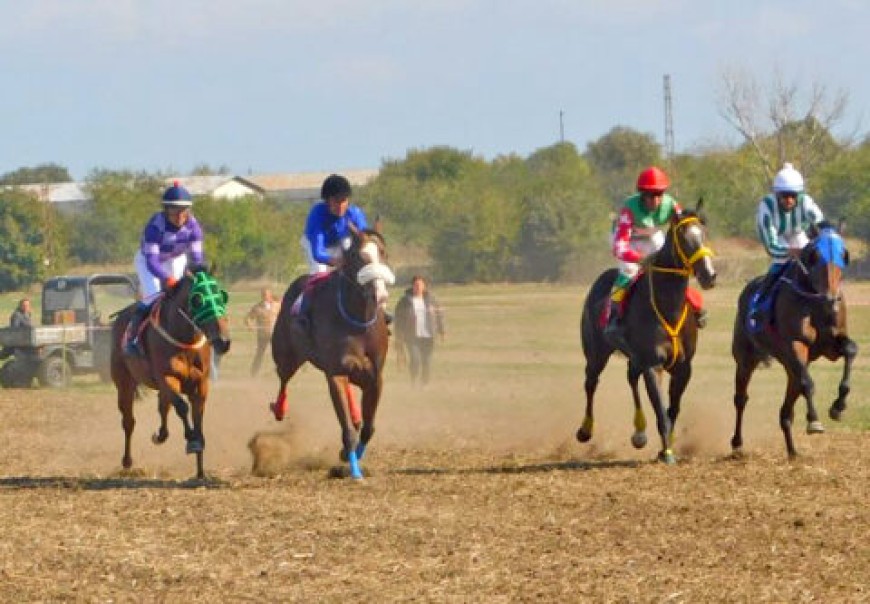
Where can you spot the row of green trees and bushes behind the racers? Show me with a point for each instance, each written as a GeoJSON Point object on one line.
{"type": "Point", "coordinates": [544, 217]}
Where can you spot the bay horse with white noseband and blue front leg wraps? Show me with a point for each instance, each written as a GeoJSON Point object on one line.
{"type": "Point", "coordinates": [347, 338]}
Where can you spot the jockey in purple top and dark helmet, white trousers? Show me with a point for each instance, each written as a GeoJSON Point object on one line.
{"type": "Point", "coordinates": [167, 240]}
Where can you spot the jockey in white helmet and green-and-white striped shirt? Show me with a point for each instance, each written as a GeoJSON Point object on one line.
{"type": "Point", "coordinates": [782, 221]}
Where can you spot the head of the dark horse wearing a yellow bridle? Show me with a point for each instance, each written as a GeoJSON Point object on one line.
{"type": "Point", "coordinates": [686, 244]}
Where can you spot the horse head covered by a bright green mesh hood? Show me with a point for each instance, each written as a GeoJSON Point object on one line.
{"type": "Point", "coordinates": [205, 302]}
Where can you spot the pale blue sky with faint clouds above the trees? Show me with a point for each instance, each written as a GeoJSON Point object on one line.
{"type": "Point", "coordinates": [287, 85]}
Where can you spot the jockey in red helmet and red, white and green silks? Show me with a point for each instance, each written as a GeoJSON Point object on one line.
{"type": "Point", "coordinates": [639, 234]}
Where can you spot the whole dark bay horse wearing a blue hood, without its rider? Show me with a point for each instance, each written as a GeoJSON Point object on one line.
{"type": "Point", "coordinates": [808, 321]}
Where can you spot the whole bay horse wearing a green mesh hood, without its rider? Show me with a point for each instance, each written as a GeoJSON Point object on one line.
{"type": "Point", "coordinates": [186, 324]}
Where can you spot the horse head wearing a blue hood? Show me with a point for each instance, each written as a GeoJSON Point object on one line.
{"type": "Point", "coordinates": [823, 262]}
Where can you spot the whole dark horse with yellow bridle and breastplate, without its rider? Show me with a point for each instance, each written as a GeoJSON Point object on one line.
{"type": "Point", "coordinates": [660, 330]}
